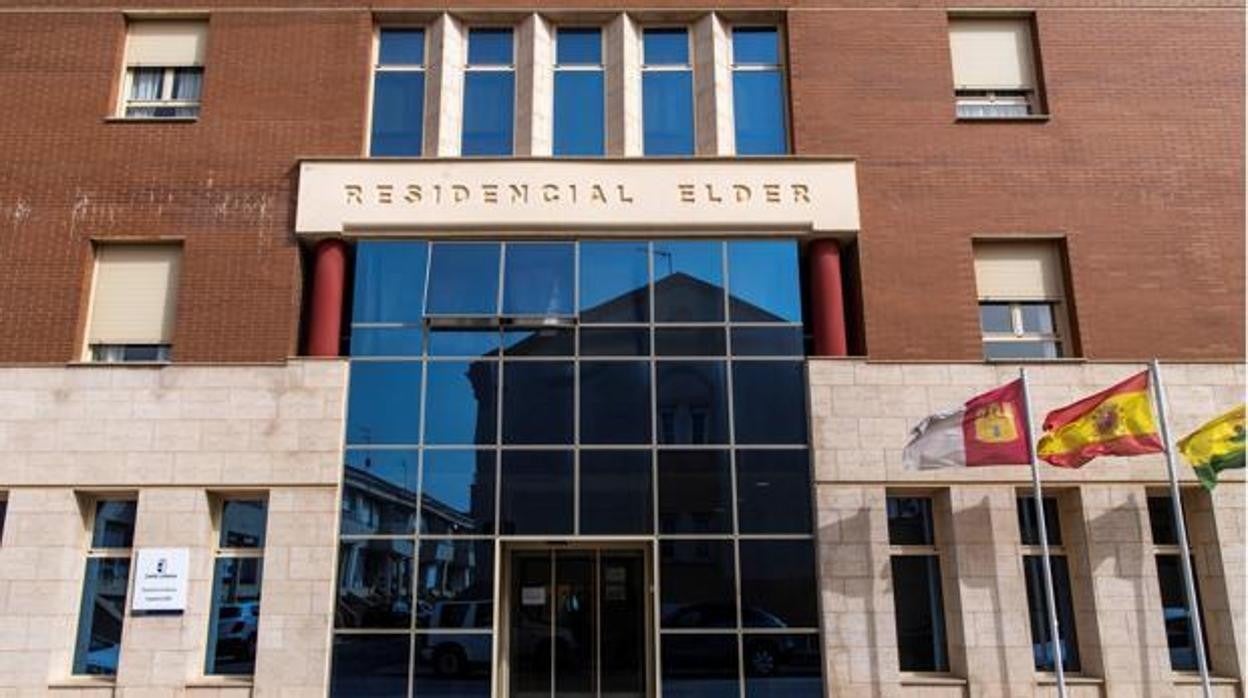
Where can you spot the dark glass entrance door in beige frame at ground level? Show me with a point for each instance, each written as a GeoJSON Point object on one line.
{"type": "Point", "coordinates": [578, 624]}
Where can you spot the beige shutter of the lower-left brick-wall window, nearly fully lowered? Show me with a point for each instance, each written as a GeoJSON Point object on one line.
{"type": "Point", "coordinates": [134, 298]}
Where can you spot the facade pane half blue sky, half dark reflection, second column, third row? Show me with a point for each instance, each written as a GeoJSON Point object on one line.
{"type": "Point", "coordinates": [461, 403]}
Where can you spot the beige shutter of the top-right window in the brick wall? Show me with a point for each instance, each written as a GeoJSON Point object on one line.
{"type": "Point", "coordinates": [992, 54]}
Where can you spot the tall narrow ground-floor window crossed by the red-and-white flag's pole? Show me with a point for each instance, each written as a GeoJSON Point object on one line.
{"type": "Point", "coordinates": [1038, 601]}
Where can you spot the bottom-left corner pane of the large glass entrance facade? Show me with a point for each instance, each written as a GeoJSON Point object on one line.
{"type": "Point", "coordinates": [375, 666]}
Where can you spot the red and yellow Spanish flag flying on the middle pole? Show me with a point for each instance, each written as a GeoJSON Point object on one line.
{"type": "Point", "coordinates": [1118, 421]}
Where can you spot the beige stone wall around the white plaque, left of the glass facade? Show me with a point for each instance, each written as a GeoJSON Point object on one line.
{"type": "Point", "coordinates": [177, 438]}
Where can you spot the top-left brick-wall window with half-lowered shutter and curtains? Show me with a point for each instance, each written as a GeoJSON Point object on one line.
{"type": "Point", "coordinates": [164, 69]}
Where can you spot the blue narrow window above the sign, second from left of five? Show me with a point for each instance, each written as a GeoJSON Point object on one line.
{"type": "Point", "coordinates": [490, 93]}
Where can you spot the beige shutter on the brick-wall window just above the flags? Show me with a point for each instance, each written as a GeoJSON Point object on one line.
{"type": "Point", "coordinates": [1019, 272]}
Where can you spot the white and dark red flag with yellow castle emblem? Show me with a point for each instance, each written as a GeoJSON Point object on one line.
{"type": "Point", "coordinates": [988, 430]}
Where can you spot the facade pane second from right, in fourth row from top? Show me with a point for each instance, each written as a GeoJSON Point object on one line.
{"type": "Point", "coordinates": [696, 493]}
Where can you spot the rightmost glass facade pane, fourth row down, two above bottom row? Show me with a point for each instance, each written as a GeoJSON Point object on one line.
{"type": "Point", "coordinates": [773, 491]}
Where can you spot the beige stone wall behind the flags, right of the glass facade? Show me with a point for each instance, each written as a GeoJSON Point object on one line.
{"type": "Point", "coordinates": [862, 415]}
